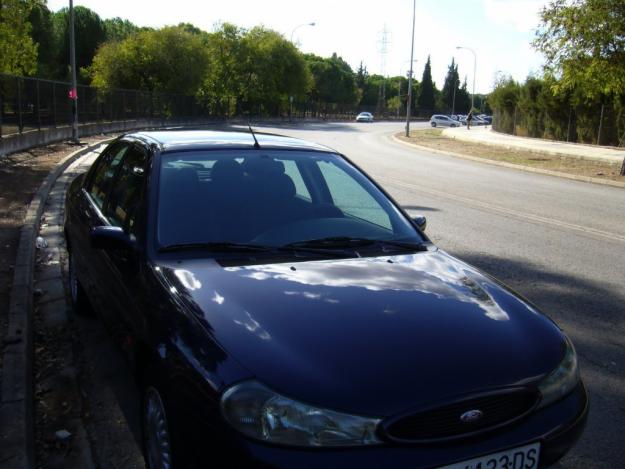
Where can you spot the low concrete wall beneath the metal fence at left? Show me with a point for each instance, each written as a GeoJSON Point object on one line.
{"type": "Point", "coordinates": [34, 138]}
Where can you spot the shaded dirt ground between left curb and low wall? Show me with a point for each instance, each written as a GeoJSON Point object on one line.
{"type": "Point", "coordinates": [21, 174]}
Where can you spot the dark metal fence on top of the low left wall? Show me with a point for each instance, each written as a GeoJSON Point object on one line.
{"type": "Point", "coordinates": [28, 104]}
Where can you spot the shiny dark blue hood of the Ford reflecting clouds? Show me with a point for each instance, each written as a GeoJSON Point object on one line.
{"type": "Point", "coordinates": [374, 336]}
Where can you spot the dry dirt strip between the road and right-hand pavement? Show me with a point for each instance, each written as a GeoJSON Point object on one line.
{"type": "Point", "coordinates": [432, 138]}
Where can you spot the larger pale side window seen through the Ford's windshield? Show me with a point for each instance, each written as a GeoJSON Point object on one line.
{"type": "Point", "coordinates": [351, 197]}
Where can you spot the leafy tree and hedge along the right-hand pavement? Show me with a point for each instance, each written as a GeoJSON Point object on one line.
{"type": "Point", "coordinates": [580, 96]}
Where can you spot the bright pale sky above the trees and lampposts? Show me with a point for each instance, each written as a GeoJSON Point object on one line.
{"type": "Point", "coordinates": [499, 31]}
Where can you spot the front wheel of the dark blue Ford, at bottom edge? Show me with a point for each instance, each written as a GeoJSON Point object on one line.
{"type": "Point", "coordinates": [156, 434]}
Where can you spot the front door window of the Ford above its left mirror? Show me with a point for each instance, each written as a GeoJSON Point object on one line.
{"type": "Point", "coordinates": [124, 200]}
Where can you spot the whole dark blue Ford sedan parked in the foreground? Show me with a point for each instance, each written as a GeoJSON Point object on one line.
{"type": "Point", "coordinates": [281, 310]}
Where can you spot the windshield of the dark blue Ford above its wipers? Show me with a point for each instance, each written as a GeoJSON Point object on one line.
{"type": "Point", "coordinates": [264, 198]}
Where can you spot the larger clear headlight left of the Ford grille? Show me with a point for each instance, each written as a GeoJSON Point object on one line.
{"type": "Point", "coordinates": [262, 414]}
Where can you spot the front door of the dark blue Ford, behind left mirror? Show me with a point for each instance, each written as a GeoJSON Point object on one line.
{"type": "Point", "coordinates": [121, 270]}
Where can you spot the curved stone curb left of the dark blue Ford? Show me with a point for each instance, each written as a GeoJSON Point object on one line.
{"type": "Point", "coordinates": [17, 448]}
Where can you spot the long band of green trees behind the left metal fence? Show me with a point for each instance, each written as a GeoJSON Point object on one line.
{"type": "Point", "coordinates": [229, 70]}
